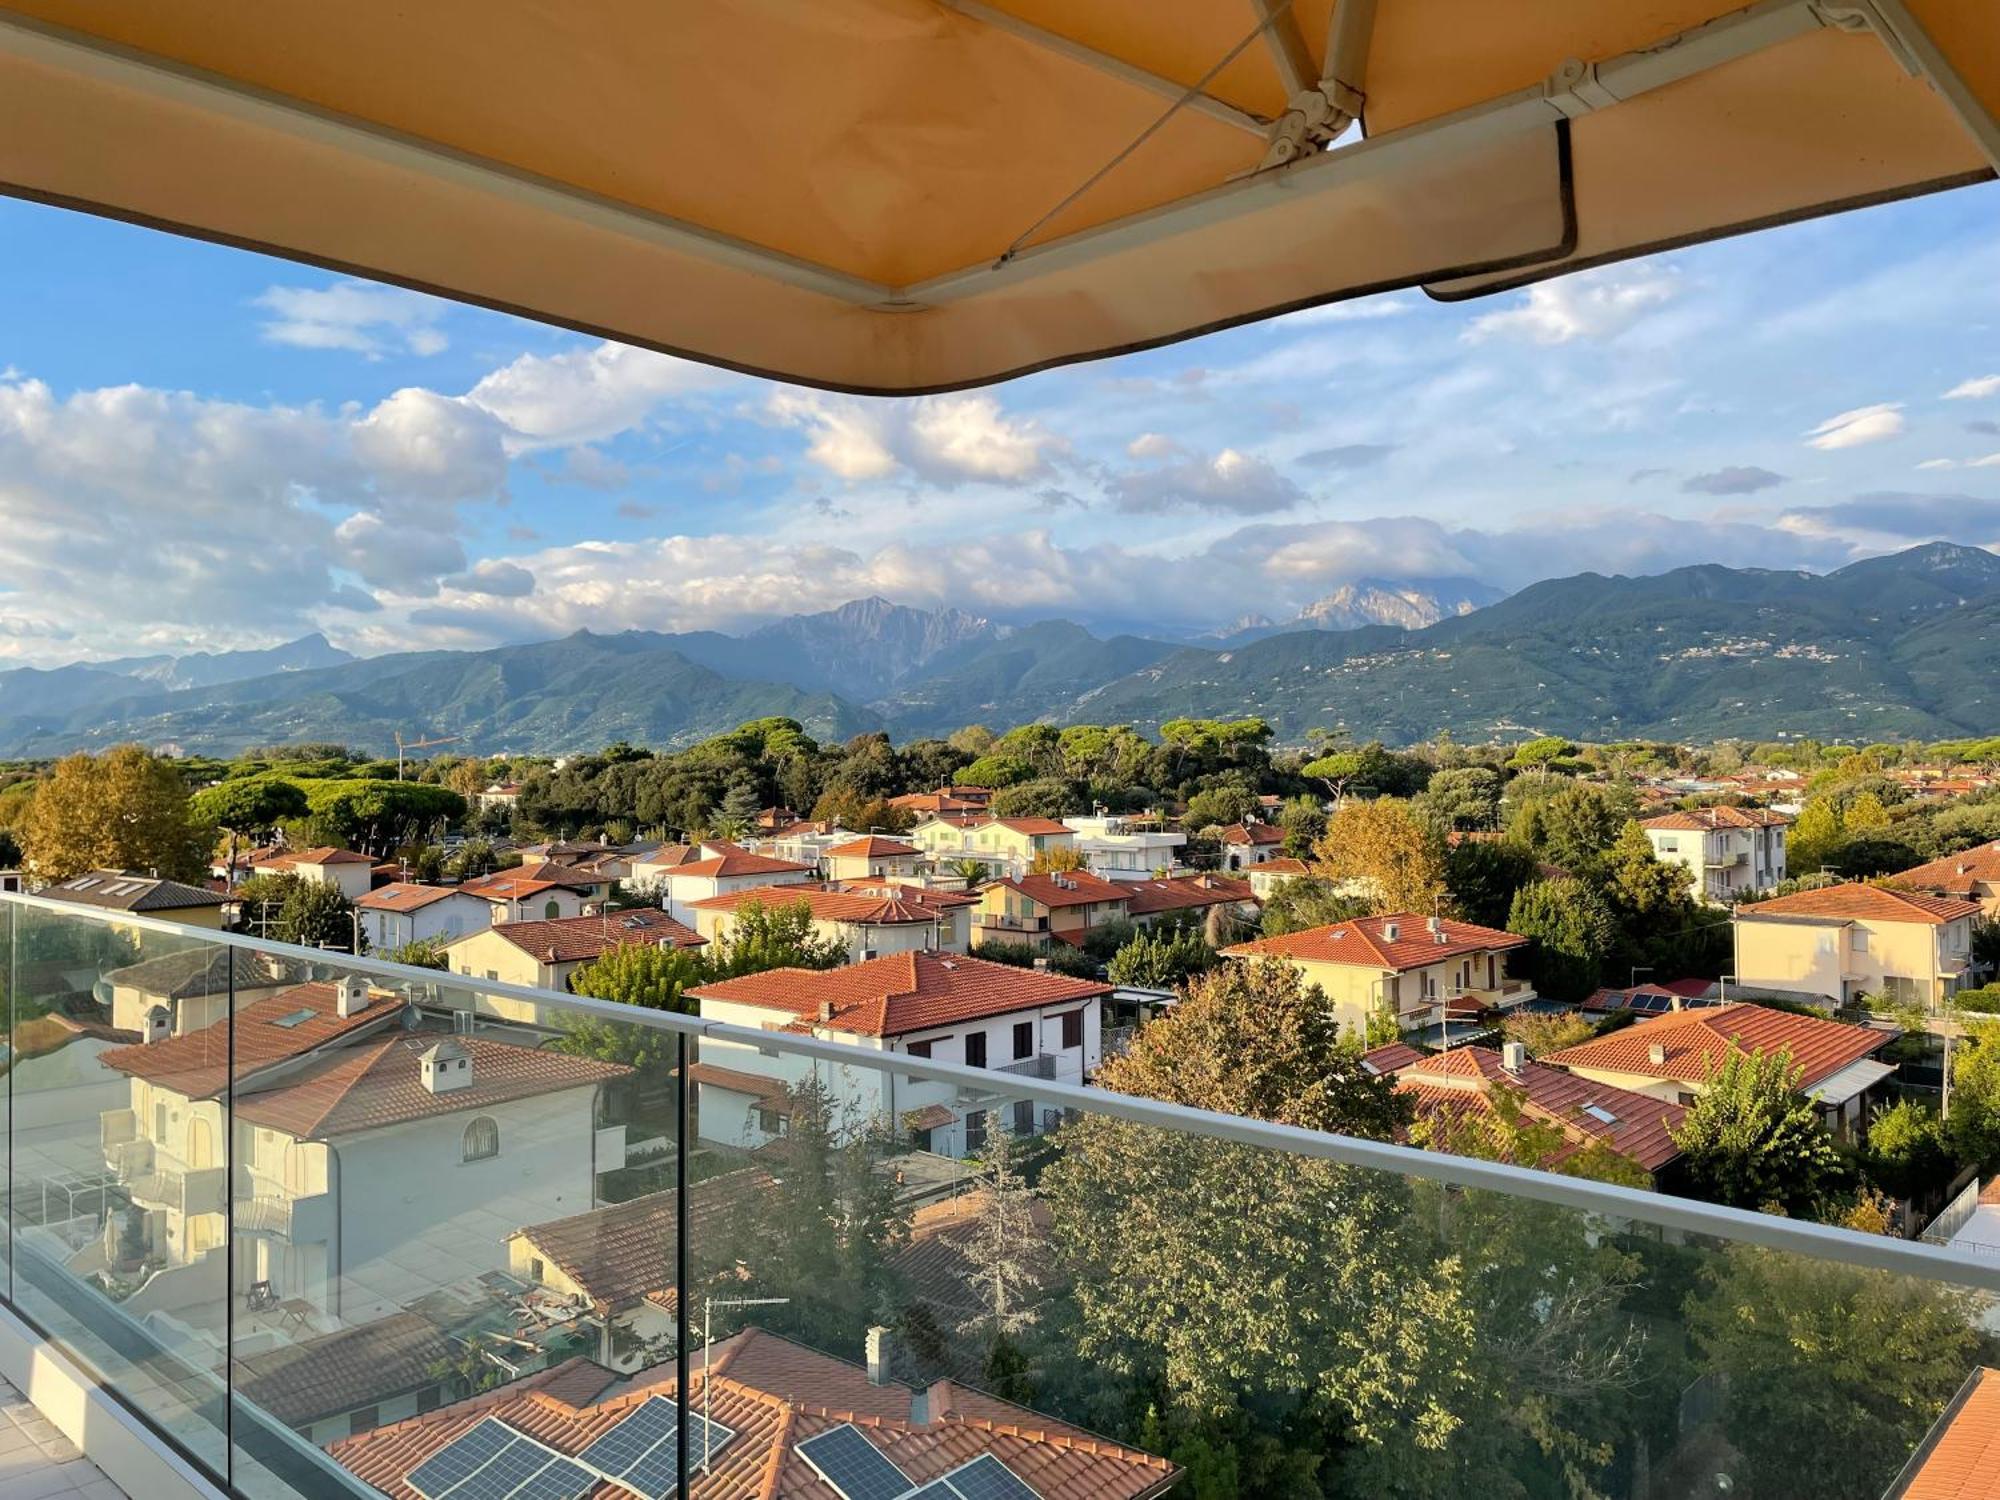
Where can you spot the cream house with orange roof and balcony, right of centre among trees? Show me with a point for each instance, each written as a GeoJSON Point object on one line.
{"type": "Point", "coordinates": [1415, 969]}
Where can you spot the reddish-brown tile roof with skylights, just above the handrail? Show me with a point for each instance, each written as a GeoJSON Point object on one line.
{"type": "Point", "coordinates": [1459, 1081]}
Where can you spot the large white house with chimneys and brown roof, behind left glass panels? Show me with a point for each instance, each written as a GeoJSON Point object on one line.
{"type": "Point", "coordinates": [329, 1089]}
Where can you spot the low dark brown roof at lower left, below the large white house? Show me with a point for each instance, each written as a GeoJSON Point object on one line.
{"type": "Point", "coordinates": [339, 1373]}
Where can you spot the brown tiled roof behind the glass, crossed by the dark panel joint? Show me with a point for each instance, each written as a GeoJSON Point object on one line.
{"type": "Point", "coordinates": [627, 1253]}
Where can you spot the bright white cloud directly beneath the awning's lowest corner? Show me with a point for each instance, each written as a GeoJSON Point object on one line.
{"type": "Point", "coordinates": [937, 439]}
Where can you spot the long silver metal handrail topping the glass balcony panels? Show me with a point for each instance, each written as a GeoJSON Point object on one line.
{"type": "Point", "coordinates": [1583, 1195]}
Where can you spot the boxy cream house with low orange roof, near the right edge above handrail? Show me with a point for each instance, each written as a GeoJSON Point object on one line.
{"type": "Point", "coordinates": [1851, 941]}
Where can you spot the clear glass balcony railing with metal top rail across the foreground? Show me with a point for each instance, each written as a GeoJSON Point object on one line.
{"type": "Point", "coordinates": [369, 1229]}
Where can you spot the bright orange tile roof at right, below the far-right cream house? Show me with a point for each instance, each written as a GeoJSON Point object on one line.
{"type": "Point", "coordinates": [1699, 1041]}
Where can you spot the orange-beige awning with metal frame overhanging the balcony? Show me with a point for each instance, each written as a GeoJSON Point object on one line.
{"type": "Point", "coordinates": [925, 195]}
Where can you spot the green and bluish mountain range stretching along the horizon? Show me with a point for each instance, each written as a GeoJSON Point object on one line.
{"type": "Point", "coordinates": [1903, 645]}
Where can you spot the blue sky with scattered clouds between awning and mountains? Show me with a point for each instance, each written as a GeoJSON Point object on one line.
{"type": "Point", "coordinates": [205, 449]}
